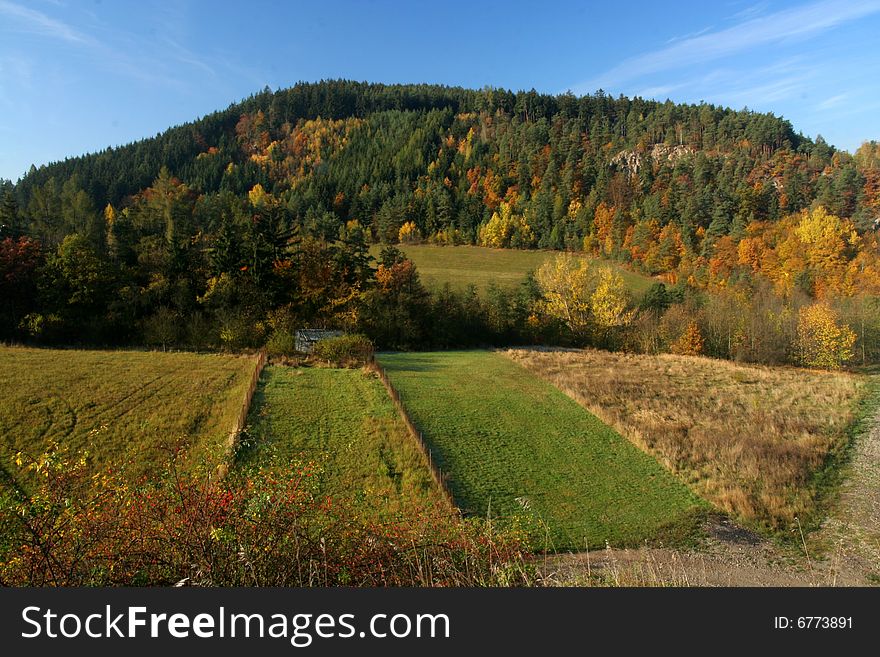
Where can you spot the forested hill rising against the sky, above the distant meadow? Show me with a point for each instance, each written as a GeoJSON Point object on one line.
{"type": "Point", "coordinates": [445, 158]}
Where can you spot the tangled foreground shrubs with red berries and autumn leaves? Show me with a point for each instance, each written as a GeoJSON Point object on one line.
{"type": "Point", "coordinates": [267, 527]}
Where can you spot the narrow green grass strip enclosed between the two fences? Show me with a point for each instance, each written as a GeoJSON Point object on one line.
{"type": "Point", "coordinates": [343, 420]}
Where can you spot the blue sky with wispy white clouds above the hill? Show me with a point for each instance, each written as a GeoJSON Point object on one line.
{"type": "Point", "coordinates": [79, 75]}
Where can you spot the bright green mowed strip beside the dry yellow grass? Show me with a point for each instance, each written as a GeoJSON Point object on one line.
{"type": "Point", "coordinates": [514, 445]}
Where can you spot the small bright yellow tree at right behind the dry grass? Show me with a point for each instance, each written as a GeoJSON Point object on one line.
{"type": "Point", "coordinates": [821, 340]}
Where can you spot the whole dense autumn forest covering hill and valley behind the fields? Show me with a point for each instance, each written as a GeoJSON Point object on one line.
{"type": "Point", "coordinates": [233, 230]}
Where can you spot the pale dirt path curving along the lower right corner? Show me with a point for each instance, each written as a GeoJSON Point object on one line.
{"type": "Point", "coordinates": [848, 542]}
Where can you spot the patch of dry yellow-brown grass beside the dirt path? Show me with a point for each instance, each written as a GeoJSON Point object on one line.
{"type": "Point", "coordinates": [749, 439]}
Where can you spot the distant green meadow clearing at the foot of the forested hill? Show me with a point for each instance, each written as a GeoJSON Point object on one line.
{"type": "Point", "coordinates": [462, 265]}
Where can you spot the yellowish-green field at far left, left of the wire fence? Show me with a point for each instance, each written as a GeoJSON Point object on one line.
{"type": "Point", "coordinates": [121, 406]}
